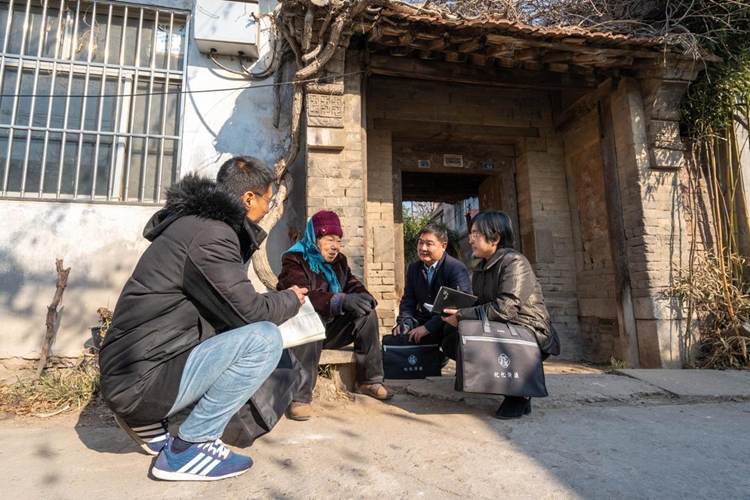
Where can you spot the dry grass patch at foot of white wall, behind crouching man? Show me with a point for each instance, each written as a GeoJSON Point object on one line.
{"type": "Point", "coordinates": [56, 390]}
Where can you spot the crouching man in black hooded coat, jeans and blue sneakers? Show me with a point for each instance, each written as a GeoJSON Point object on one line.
{"type": "Point", "coordinates": [190, 328]}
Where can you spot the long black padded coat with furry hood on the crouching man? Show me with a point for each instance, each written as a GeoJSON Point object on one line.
{"type": "Point", "coordinates": [190, 284]}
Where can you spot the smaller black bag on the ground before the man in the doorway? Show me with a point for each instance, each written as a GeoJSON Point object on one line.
{"type": "Point", "coordinates": [402, 360]}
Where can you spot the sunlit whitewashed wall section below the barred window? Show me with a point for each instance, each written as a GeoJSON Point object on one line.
{"type": "Point", "coordinates": [98, 243]}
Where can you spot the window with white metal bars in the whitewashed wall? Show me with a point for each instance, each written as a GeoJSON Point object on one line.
{"type": "Point", "coordinates": [90, 100]}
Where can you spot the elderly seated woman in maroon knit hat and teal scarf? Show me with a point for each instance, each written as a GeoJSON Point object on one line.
{"type": "Point", "coordinates": [343, 302]}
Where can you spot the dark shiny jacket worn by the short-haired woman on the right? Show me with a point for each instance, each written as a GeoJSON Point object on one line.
{"type": "Point", "coordinates": [508, 291]}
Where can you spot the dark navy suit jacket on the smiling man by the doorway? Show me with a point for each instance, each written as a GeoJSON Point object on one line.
{"type": "Point", "coordinates": [449, 272]}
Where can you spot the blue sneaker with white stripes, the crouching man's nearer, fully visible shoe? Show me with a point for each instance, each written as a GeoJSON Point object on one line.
{"type": "Point", "coordinates": [209, 461]}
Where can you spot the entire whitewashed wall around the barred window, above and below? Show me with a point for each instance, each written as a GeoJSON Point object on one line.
{"type": "Point", "coordinates": [102, 242]}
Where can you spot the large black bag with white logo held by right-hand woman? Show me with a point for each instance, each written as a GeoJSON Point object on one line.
{"type": "Point", "coordinates": [498, 358]}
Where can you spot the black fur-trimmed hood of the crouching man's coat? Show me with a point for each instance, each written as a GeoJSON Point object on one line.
{"type": "Point", "coordinates": [202, 197]}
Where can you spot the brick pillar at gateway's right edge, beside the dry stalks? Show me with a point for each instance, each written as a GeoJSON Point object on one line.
{"type": "Point", "coordinates": [656, 233]}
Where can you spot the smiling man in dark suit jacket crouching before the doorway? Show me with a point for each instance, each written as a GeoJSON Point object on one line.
{"type": "Point", "coordinates": [424, 278]}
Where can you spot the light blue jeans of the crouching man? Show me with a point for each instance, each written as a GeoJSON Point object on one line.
{"type": "Point", "coordinates": [221, 374]}
